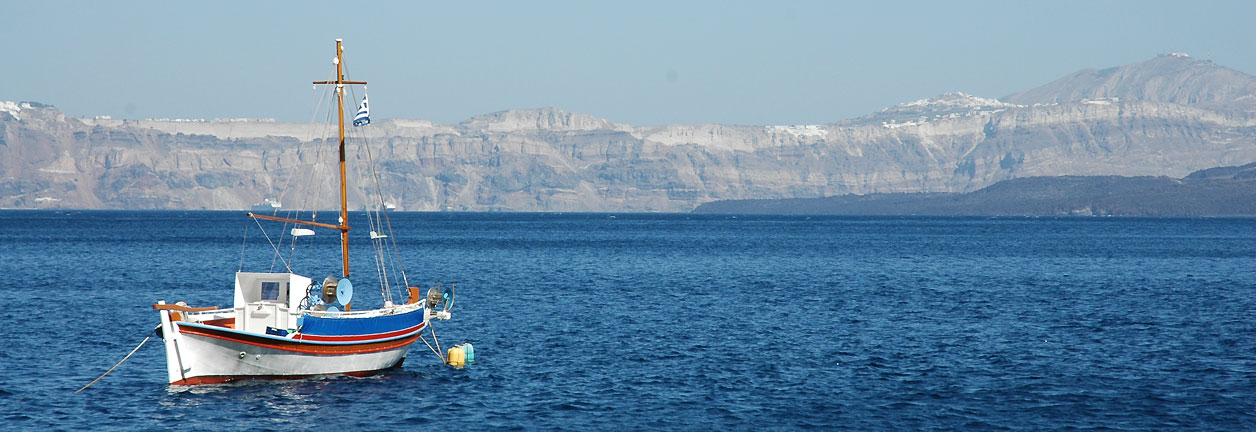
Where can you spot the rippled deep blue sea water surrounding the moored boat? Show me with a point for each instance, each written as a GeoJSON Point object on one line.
{"type": "Point", "coordinates": [675, 322]}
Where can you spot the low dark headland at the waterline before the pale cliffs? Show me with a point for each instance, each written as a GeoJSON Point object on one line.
{"type": "Point", "coordinates": [1223, 192]}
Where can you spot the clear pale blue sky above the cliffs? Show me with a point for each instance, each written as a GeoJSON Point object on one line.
{"type": "Point", "coordinates": [632, 62]}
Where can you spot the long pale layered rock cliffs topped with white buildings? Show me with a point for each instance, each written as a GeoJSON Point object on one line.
{"type": "Point", "coordinates": [1164, 117]}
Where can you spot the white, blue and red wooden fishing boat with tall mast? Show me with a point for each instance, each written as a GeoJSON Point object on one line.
{"type": "Point", "coordinates": [287, 326]}
